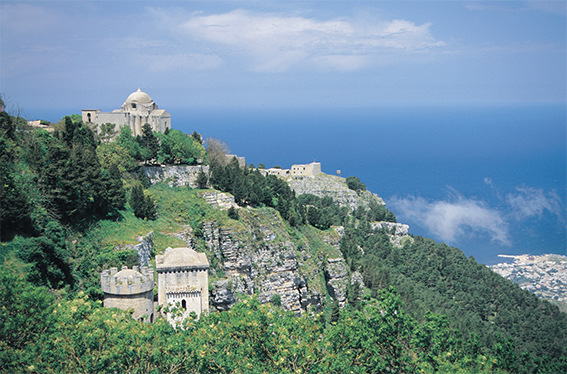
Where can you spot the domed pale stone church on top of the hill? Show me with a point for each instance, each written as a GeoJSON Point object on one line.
{"type": "Point", "coordinates": [137, 110]}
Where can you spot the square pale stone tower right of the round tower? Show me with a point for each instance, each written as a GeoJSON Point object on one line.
{"type": "Point", "coordinates": [183, 281]}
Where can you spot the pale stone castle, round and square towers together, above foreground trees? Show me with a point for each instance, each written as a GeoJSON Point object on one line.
{"type": "Point", "coordinates": [183, 282]}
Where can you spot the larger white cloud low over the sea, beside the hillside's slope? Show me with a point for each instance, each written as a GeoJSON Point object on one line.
{"type": "Point", "coordinates": [452, 219]}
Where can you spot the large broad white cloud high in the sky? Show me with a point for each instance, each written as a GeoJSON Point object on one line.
{"type": "Point", "coordinates": [277, 42]}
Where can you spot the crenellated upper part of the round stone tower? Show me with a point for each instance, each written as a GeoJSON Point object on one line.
{"type": "Point", "coordinates": [127, 281]}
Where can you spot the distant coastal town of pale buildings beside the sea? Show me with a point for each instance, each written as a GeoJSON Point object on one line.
{"type": "Point", "coordinates": [545, 275]}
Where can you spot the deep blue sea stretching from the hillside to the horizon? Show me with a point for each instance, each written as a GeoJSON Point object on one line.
{"type": "Point", "coordinates": [489, 180]}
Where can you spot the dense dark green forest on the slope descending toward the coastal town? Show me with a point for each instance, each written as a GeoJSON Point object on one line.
{"type": "Point", "coordinates": [504, 321]}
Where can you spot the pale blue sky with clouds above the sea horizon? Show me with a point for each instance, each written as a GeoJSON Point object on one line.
{"type": "Point", "coordinates": [281, 54]}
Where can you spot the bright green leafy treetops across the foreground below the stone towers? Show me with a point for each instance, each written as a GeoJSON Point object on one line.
{"type": "Point", "coordinates": [45, 333]}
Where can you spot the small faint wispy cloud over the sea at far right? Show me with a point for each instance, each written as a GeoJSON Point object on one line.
{"type": "Point", "coordinates": [529, 202]}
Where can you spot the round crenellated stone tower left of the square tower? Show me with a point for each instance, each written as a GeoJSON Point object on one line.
{"type": "Point", "coordinates": [130, 289]}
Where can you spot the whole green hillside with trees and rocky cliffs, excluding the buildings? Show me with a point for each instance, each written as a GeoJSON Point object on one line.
{"type": "Point", "coordinates": [312, 276]}
